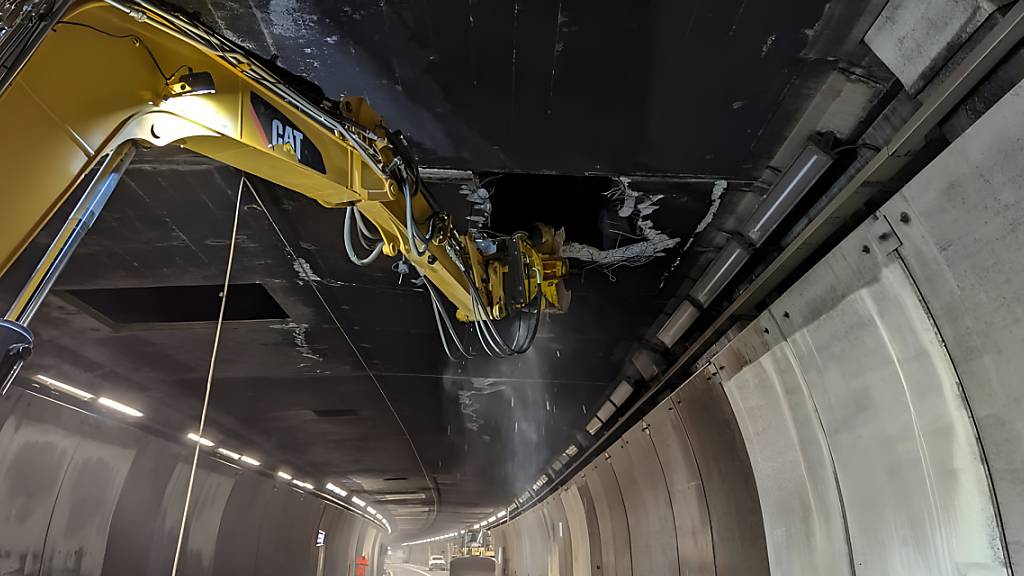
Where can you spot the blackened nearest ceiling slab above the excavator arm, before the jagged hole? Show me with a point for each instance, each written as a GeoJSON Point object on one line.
{"type": "Point", "coordinates": [664, 87]}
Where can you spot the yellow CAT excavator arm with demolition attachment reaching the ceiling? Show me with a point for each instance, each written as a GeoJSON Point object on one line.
{"type": "Point", "coordinates": [108, 74]}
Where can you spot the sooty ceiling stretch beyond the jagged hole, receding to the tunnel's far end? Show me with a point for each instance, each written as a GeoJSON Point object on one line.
{"type": "Point", "coordinates": [317, 353]}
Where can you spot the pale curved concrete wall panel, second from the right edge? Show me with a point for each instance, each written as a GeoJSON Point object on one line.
{"type": "Point", "coordinates": [904, 445]}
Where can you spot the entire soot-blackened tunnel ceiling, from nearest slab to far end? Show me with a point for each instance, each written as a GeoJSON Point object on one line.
{"type": "Point", "coordinates": [335, 373]}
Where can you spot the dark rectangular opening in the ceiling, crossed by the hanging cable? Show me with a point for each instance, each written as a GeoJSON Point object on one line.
{"type": "Point", "coordinates": [162, 305]}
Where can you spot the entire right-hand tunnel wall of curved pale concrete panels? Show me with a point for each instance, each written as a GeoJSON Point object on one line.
{"type": "Point", "coordinates": [869, 423]}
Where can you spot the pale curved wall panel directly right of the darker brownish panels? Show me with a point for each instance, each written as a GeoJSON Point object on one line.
{"type": "Point", "coordinates": [789, 454]}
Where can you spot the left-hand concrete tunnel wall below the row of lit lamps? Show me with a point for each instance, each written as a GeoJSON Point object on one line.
{"type": "Point", "coordinates": [82, 497]}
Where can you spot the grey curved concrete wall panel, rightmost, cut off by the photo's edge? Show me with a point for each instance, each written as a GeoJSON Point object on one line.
{"type": "Point", "coordinates": [960, 224]}
